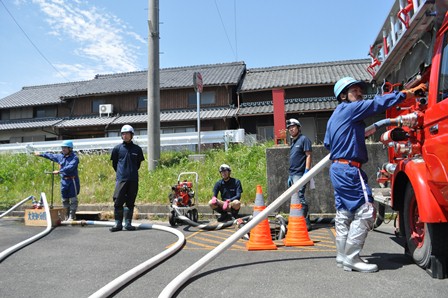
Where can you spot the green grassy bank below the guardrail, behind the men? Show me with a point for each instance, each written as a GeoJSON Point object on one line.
{"type": "Point", "coordinates": [22, 175]}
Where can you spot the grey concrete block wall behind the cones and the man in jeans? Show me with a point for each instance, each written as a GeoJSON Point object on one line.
{"type": "Point", "coordinates": [321, 199]}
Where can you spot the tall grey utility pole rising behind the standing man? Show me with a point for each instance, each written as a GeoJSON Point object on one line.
{"type": "Point", "coordinates": [153, 86]}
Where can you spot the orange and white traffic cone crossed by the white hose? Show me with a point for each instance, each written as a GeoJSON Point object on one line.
{"type": "Point", "coordinates": [260, 236]}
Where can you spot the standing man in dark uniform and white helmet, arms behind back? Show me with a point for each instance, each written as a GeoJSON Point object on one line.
{"type": "Point", "coordinates": [126, 159]}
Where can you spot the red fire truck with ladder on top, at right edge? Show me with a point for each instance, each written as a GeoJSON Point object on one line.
{"type": "Point", "coordinates": [412, 48]}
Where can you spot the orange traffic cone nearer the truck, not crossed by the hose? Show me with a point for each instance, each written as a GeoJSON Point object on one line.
{"type": "Point", "coordinates": [297, 234]}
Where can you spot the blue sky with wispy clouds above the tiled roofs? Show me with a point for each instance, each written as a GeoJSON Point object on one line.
{"type": "Point", "coordinates": [70, 40]}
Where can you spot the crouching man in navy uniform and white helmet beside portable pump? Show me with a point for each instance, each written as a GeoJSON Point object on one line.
{"type": "Point", "coordinates": [230, 189]}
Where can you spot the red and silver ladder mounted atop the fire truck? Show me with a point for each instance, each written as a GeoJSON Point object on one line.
{"type": "Point", "coordinates": [407, 21]}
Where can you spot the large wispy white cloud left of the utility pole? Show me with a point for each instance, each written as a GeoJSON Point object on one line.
{"type": "Point", "coordinates": [100, 36]}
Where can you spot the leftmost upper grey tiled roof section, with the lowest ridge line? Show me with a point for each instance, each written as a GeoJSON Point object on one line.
{"type": "Point", "coordinates": [38, 95]}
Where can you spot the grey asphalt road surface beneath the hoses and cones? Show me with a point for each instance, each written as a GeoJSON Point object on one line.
{"type": "Point", "coordinates": [75, 261]}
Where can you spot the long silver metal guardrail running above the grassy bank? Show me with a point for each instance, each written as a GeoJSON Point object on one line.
{"type": "Point", "coordinates": [170, 140]}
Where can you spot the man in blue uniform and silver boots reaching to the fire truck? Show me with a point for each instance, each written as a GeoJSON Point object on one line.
{"type": "Point", "coordinates": [345, 138]}
